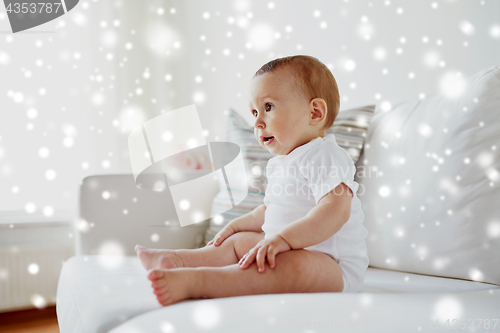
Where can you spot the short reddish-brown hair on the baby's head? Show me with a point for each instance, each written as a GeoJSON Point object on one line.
{"type": "Point", "coordinates": [312, 78]}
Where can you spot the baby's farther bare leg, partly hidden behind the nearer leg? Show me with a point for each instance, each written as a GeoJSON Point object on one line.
{"type": "Point", "coordinates": [229, 252]}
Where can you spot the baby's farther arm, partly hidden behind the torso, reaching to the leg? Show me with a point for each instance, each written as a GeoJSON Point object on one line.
{"type": "Point", "coordinates": [251, 221]}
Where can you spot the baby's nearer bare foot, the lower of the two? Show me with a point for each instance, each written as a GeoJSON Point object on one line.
{"type": "Point", "coordinates": [170, 286]}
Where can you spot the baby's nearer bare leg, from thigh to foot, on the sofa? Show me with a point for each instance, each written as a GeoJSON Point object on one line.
{"type": "Point", "coordinates": [296, 271]}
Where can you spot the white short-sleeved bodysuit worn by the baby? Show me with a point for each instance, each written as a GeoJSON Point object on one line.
{"type": "Point", "coordinates": [296, 183]}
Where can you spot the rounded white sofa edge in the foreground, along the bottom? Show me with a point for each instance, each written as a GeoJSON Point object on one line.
{"type": "Point", "coordinates": [325, 313]}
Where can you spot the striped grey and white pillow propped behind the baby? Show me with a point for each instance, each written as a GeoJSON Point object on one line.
{"type": "Point", "coordinates": [350, 129]}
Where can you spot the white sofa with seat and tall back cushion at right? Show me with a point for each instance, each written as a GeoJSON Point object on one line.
{"type": "Point", "coordinates": [432, 213]}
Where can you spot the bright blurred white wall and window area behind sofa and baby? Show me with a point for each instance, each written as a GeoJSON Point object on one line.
{"type": "Point", "coordinates": [72, 90]}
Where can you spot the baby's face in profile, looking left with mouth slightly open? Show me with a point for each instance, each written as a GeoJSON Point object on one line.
{"type": "Point", "coordinates": [280, 112]}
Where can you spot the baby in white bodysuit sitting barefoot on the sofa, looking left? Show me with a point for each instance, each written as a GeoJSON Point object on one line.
{"type": "Point", "coordinates": [308, 236]}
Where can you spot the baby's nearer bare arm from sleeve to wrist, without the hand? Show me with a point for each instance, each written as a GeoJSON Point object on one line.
{"type": "Point", "coordinates": [322, 222]}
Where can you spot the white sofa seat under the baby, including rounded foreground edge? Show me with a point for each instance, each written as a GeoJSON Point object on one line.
{"type": "Point", "coordinates": [96, 294]}
